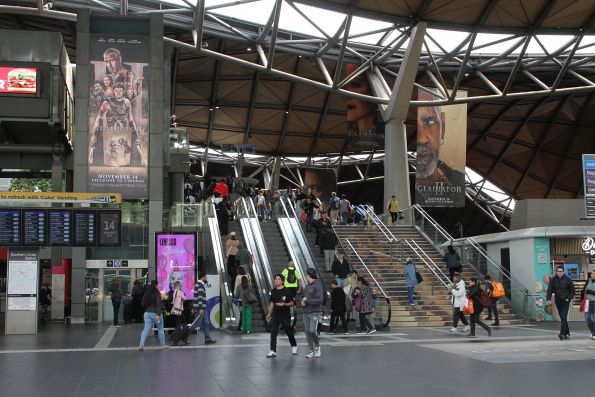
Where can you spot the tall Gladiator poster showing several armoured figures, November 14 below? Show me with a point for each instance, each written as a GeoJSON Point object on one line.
{"type": "Point", "coordinates": [119, 115]}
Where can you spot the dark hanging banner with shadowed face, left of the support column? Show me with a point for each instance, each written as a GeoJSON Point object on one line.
{"type": "Point", "coordinates": [365, 127]}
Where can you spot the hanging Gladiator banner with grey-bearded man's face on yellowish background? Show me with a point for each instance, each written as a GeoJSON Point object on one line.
{"type": "Point", "coordinates": [441, 153]}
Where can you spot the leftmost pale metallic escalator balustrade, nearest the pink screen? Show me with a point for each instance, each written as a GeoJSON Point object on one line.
{"type": "Point", "coordinates": [213, 225]}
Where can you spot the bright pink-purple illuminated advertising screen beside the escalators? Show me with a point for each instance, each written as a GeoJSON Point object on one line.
{"type": "Point", "coordinates": [176, 261]}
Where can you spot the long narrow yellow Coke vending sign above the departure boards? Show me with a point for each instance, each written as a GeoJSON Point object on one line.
{"type": "Point", "coordinates": [62, 197]}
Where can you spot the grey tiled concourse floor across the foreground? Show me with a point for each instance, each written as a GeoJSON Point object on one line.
{"type": "Point", "coordinates": [521, 360]}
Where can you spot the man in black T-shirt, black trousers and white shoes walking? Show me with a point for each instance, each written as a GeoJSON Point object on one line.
{"type": "Point", "coordinates": [281, 300]}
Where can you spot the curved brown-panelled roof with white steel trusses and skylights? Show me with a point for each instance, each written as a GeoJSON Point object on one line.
{"type": "Point", "coordinates": [530, 102]}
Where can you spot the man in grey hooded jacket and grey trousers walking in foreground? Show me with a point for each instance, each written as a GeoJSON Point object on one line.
{"type": "Point", "coordinates": [312, 303]}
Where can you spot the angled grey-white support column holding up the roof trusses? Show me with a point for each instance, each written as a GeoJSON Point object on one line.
{"type": "Point", "coordinates": [396, 167]}
